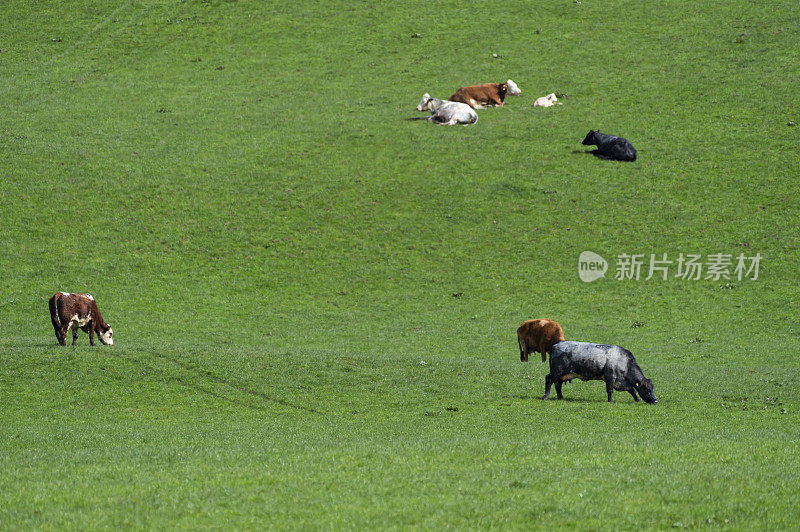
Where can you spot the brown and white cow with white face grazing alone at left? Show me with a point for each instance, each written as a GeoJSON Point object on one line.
{"type": "Point", "coordinates": [78, 311]}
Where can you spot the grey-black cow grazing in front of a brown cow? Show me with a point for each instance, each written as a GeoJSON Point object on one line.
{"type": "Point", "coordinates": [610, 363]}
